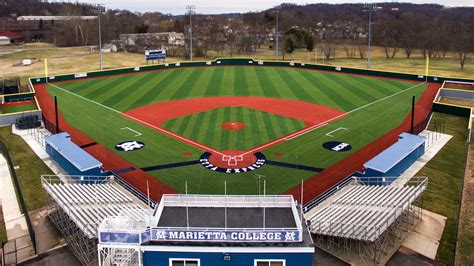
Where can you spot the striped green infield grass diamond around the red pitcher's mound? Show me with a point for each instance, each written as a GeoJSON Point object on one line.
{"type": "Point", "coordinates": [260, 127]}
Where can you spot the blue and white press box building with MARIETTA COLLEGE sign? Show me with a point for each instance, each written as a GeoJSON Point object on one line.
{"type": "Point", "coordinates": [208, 230]}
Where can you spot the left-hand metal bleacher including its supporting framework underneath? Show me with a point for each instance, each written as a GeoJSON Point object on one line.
{"type": "Point", "coordinates": [78, 204]}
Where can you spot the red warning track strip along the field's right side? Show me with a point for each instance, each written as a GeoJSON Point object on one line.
{"type": "Point", "coordinates": [318, 184]}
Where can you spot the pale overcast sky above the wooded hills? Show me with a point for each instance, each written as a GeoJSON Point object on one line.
{"type": "Point", "coordinates": [177, 7]}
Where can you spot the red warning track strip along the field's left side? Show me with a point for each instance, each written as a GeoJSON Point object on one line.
{"type": "Point", "coordinates": [138, 178]}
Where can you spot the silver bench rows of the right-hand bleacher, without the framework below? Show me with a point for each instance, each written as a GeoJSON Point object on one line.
{"type": "Point", "coordinates": [363, 212]}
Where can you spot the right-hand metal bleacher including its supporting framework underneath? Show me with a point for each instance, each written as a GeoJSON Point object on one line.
{"type": "Point", "coordinates": [366, 217]}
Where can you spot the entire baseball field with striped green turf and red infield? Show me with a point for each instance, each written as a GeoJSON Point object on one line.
{"type": "Point", "coordinates": [192, 124]}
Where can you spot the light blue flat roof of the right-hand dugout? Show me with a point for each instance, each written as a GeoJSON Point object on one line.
{"type": "Point", "coordinates": [387, 159]}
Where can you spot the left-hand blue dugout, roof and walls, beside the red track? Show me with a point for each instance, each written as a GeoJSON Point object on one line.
{"type": "Point", "coordinates": [73, 159]}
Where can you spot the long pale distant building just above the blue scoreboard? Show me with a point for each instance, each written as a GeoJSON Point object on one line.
{"type": "Point", "coordinates": [152, 39]}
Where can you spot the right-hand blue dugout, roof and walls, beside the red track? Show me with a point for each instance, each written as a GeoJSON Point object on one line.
{"type": "Point", "coordinates": [393, 161]}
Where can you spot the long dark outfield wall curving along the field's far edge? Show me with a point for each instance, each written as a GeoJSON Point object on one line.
{"type": "Point", "coordinates": [246, 62]}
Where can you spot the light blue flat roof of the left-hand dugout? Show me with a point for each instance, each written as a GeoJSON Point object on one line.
{"type": "Point", "coordinates": [82, 160]}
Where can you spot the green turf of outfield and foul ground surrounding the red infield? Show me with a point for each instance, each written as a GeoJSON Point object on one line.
{"type": "Point", "coordinates": [374, 105]}
